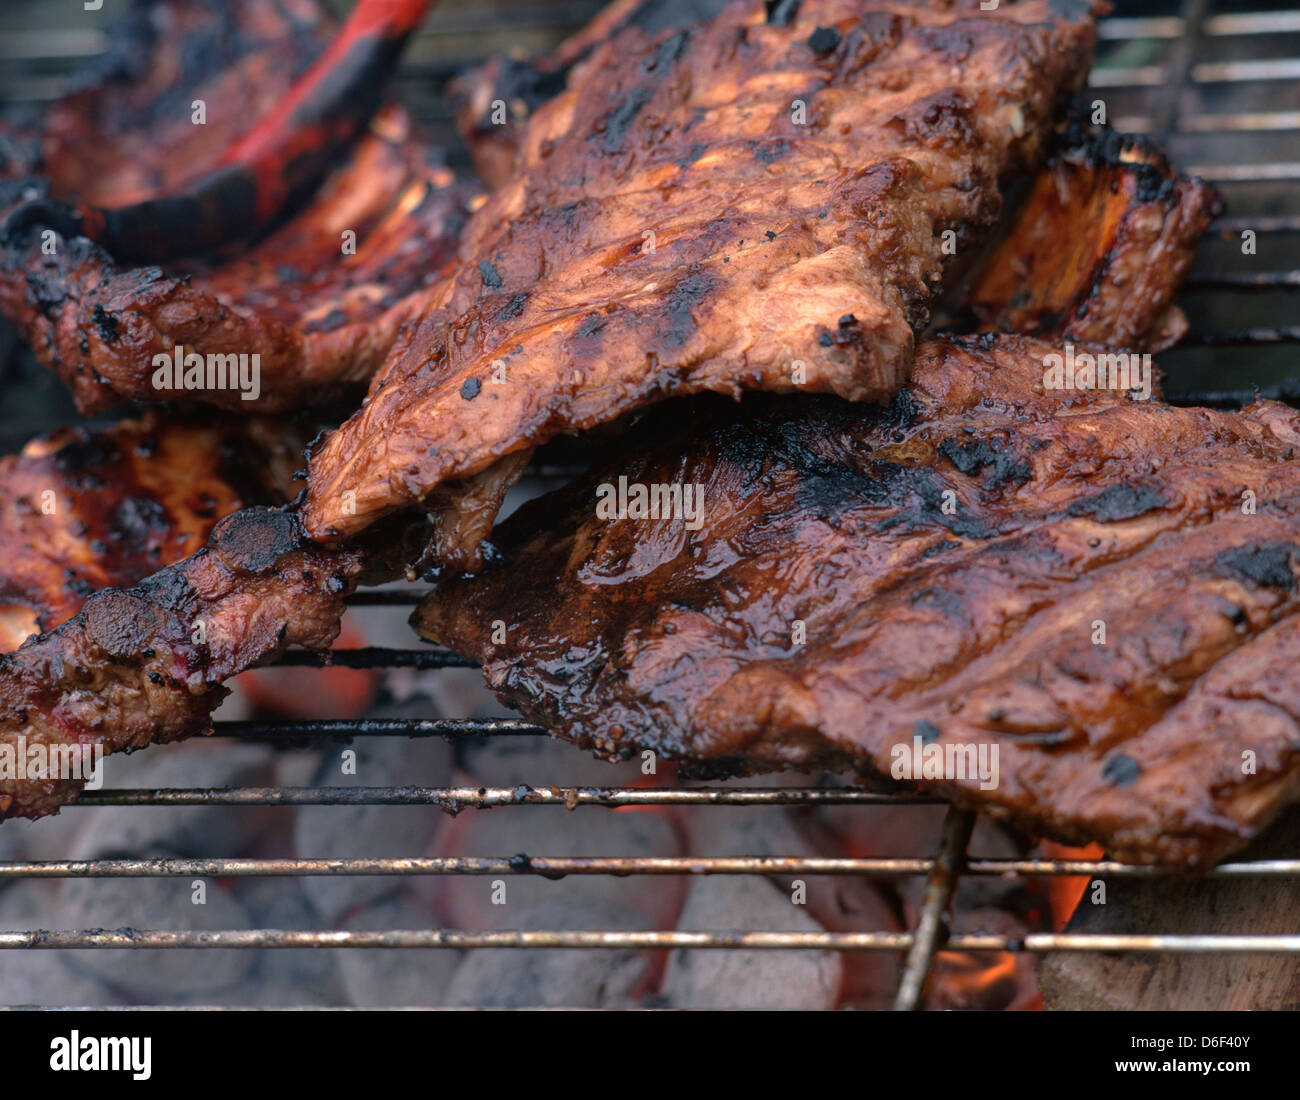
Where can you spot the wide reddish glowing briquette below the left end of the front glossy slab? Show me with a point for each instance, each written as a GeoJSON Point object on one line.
{"type": "Point", "coordinates": [491, 903]}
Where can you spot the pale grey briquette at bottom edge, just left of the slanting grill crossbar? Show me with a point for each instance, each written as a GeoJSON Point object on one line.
{"type": "Point", "coordinates": [752, 980]}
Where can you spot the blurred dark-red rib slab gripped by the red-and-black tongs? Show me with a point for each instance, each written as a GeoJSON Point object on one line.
{"type": "Point", "coordinates": [319, 300]}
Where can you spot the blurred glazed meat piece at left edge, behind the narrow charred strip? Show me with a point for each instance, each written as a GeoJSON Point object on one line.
{"type": "Point", "coordinates": [83, 510]}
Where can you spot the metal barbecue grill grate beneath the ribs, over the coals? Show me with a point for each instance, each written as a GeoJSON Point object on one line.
{"type": "Point", "coordinates": [1214, 85]}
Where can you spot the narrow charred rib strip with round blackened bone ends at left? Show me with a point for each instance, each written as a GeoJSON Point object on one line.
{"type": "Point", "coordinates": [148, 664]}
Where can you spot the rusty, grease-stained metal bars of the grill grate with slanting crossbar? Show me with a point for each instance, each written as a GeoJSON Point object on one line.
{"type": "Point", "coordinates": [421, 79]}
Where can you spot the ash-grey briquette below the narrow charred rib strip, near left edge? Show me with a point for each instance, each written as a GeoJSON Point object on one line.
{"type": "Point", "coordinates": [110, 832]}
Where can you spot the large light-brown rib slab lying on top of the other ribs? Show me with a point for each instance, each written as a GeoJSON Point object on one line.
{"type": "Point", "coordinates": [753, 203]}
